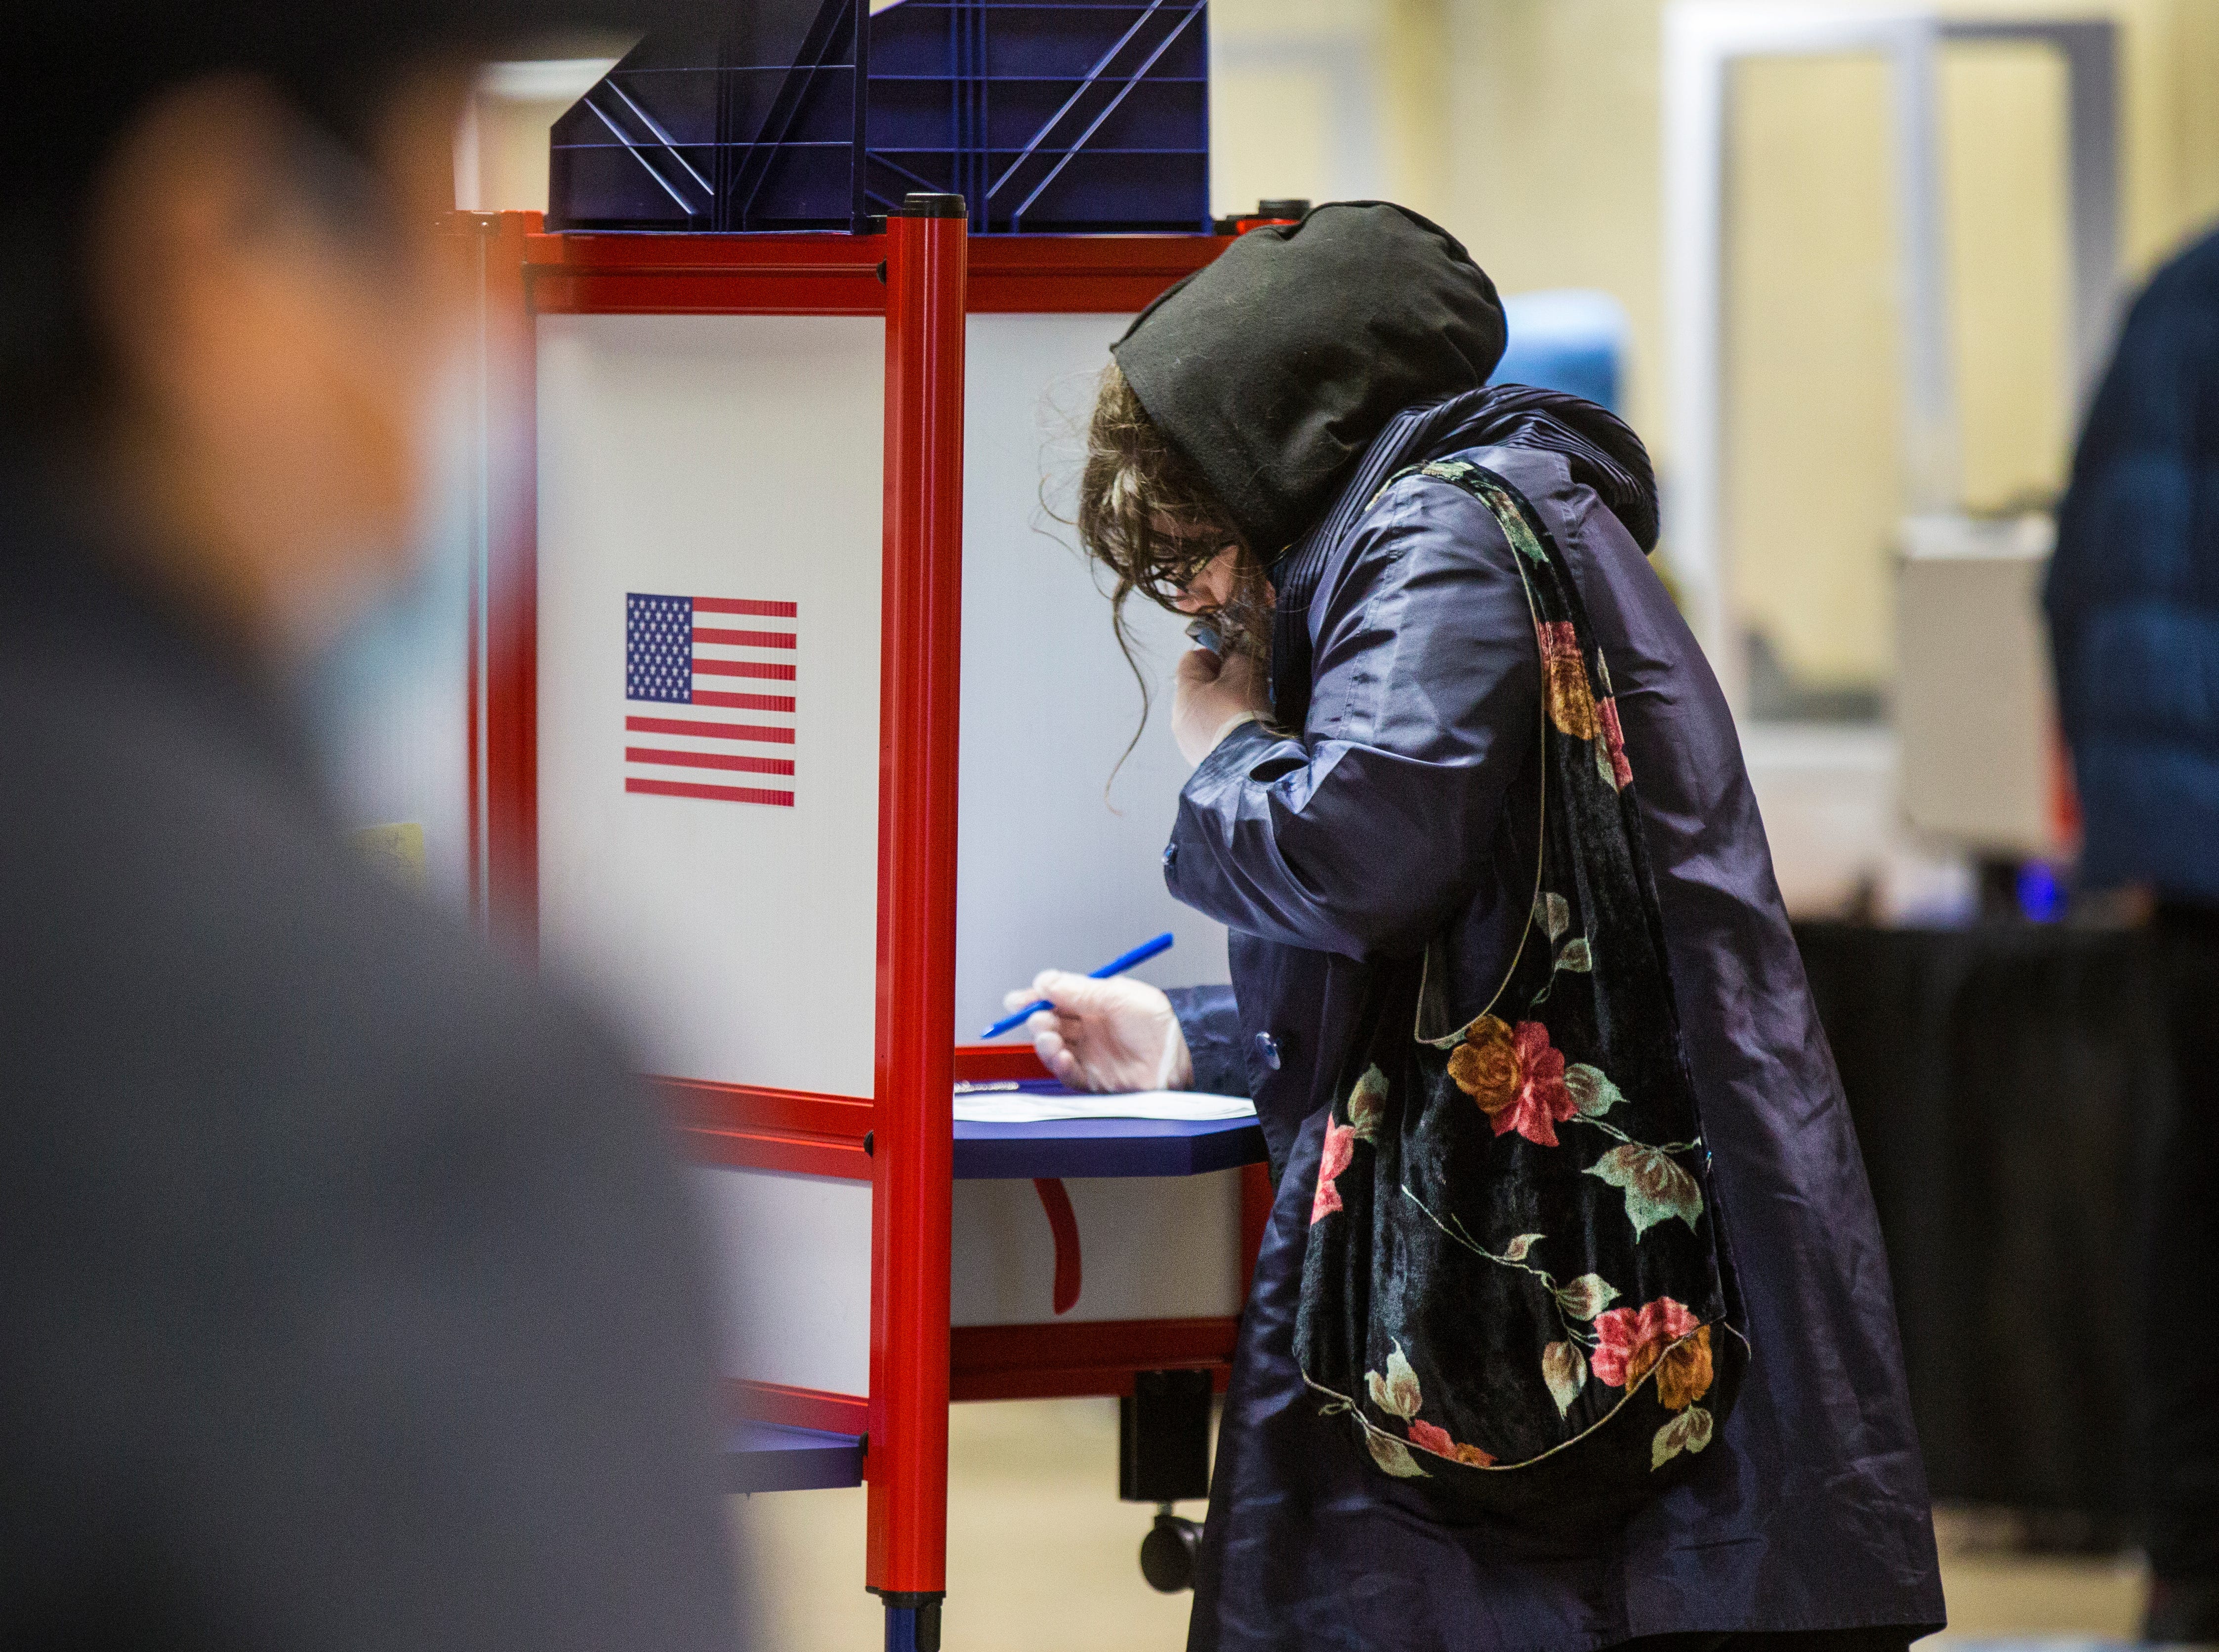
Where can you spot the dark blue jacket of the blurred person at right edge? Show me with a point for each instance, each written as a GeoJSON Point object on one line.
{"type": "Point", "coordinates": [2134, 595]}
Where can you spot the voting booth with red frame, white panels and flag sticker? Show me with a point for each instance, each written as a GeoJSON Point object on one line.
{"type": "Point", "coordinates": [791, 724]}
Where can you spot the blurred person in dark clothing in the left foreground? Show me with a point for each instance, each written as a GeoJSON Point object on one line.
{"type": "Point", "coordinates": [349, 1298]}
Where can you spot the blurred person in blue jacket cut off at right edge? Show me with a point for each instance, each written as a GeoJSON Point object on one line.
{"type": "Point", "coordinates": [2134, 604]}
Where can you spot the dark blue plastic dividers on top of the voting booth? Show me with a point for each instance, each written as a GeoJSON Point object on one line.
{"type": "Point", "coordinates": [1046, 116]}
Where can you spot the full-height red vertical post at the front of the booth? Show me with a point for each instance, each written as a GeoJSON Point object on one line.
{"type": "Point", "coordinates": [922, 604]}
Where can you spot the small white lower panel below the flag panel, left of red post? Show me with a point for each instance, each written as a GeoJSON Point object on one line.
{"type": "Point", "coordinates": [791, 1276]}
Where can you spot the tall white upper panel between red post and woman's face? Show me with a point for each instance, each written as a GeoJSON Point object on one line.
{"type": "Point", "coordinates": [1060, 868]}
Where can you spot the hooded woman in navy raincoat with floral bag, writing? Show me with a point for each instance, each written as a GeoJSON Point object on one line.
{"type": "Point", "coordinates": [1572, 1320]}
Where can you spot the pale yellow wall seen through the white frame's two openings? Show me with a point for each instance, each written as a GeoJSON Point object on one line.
{"type": "Point", "coordinates": [1816, 345]}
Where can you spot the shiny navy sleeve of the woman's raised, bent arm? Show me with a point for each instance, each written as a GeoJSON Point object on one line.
{"type": "Point", "coordinates": [1368, 833]}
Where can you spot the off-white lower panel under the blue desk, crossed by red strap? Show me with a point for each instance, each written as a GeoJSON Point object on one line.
{"type": "Point", "coordinates": [1148, 1250]}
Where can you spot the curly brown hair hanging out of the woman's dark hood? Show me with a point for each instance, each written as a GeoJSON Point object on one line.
{"type": "Point", "coordinates": [1155, 527]}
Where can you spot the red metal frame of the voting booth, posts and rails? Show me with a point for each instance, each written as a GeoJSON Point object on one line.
{"type": "Point", "coordinates": [924, 276]}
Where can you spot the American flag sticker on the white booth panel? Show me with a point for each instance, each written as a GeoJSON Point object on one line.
{"type": "Point", "coordinates": [720, 673]}
